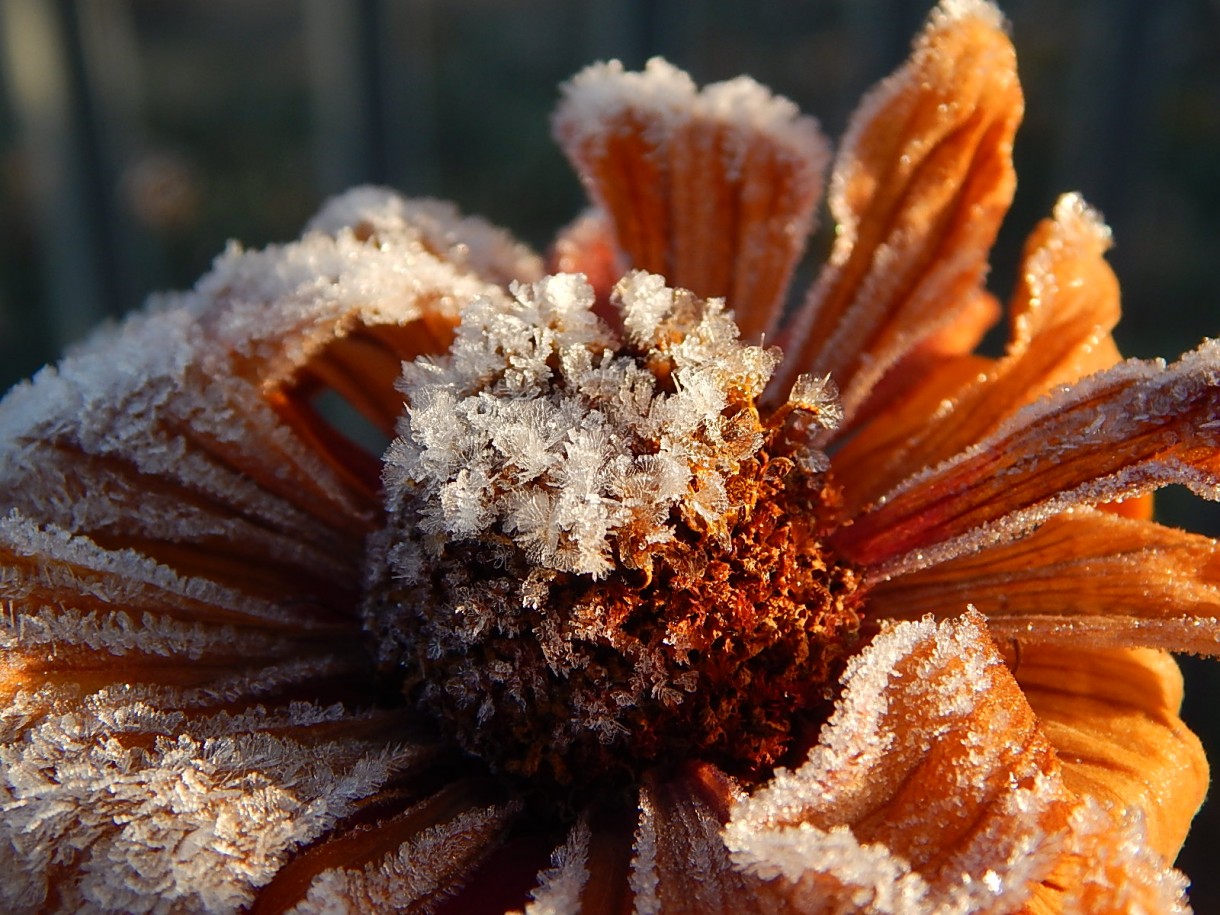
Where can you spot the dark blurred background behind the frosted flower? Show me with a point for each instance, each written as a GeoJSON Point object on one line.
{"type": "Point", "coordinates": [138, 136]}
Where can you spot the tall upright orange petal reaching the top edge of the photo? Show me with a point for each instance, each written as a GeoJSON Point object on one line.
{"type": "Point", "coordinates": [919, 191]}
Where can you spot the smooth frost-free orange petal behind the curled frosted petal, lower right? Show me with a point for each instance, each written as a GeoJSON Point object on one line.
{"type": "Point", "coordinates": [1112, 717]}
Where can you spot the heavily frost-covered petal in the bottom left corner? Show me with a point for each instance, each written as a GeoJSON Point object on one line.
{"type": "Point", "coordinates": [114, 806]}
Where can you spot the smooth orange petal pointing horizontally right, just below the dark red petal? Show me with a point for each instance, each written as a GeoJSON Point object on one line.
{"type": "Point", "coordinates": [1085, 579]}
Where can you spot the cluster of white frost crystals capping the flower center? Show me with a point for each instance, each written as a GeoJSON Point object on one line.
{"type": "Point", "coordinates": [537, 430]}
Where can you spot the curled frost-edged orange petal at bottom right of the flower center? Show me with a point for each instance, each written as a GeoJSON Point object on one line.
{"type": "Point", "coordinates": [931, 786]}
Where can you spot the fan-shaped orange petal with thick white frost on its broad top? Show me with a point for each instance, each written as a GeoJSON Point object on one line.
{"type": "Point", "coordinates": [714, 190]}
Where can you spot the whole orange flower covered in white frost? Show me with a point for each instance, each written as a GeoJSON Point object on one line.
{"type": "Point", "coordinates": [634, 611]}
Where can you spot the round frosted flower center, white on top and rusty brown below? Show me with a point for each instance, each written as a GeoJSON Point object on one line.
{"type": "Point", "coordinates": [600, 556]}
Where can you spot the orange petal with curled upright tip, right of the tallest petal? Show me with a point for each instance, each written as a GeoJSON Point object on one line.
{"type": "Point", "coordinates": [1062, 313]}
